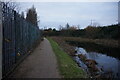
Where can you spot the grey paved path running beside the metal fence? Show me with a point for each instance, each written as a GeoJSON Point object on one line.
{"type": "Point", "coordinates": [40, 64]}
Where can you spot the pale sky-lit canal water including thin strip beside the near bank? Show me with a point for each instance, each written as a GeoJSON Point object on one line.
{"type": "Point", "coordinates": [108, 64]}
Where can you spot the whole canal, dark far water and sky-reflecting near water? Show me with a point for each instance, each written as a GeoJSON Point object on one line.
{"type": "Point", "coordinates": [107, 59]}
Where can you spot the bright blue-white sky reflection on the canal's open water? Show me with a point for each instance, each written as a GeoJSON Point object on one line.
{"type": "Point", "coordinates": [107, 63]}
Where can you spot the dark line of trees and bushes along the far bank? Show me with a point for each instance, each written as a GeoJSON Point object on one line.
{"type": "Point", "coordinates": [100, 32]}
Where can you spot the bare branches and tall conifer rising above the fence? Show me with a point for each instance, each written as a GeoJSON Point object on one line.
{"type": "Point", "coordinates": [31, 15]}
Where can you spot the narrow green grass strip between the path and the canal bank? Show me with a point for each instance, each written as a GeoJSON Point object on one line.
{"type": "Point", "coordinates": [67, 67]}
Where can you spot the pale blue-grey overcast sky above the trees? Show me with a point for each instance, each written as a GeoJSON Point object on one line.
{"type": "Point", "coordinates": [53, 14]}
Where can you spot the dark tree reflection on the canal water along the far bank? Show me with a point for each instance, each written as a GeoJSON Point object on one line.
{"type": "Point", "coordinates": [92, 47]}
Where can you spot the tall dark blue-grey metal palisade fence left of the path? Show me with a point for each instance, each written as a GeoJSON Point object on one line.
{"type": "Point", "coordinates": [19, 38]}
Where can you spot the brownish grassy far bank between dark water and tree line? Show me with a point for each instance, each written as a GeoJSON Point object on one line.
{"type": "Point", "coordinates": [103, 42]}
